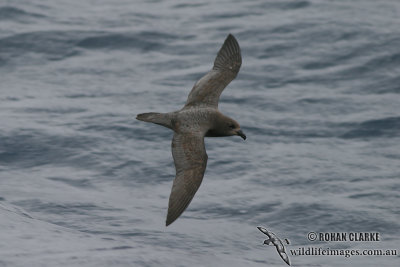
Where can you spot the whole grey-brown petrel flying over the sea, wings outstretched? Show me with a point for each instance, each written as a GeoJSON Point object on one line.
{"type": "Point", "coordinates": [199, 118]}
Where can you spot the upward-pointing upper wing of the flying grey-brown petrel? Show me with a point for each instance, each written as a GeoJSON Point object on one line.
{"type": "Point", "coordinates": [207, 90]}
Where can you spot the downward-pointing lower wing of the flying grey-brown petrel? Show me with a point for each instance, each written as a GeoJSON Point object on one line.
{"type": "Point", "coordinates": [190, 160]}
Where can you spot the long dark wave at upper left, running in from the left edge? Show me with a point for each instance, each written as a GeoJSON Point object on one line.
{"type": "Point", "coordinates": [59, 45]}
